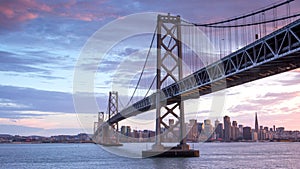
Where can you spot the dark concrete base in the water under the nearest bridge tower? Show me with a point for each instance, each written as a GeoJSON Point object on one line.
{"type": "Point", "coordinates": [171, 152]}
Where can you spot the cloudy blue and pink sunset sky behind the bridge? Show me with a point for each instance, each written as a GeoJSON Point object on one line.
{"type": "Point", "coordinates": [43, 43]}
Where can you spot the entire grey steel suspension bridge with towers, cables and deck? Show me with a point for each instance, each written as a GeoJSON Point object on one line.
{"type": "Point", "coordinates": [218, 55]}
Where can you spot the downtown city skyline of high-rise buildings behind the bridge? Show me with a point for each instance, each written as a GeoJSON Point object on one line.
{"type": "Point", "coordinates": [205, 132]}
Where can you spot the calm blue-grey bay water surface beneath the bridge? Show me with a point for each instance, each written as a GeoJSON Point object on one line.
{"type": "Point", "coordinates": [212, 155]}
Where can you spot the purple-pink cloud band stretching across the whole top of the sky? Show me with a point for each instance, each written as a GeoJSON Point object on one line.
{"type": "Point", "coordinates": [14, 12]}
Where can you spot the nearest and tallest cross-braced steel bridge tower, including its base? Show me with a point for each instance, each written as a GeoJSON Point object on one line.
{"type": "Point", "coordinates": [169, 47]}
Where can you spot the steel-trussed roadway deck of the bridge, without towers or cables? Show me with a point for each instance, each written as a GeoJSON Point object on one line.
{"type": "Point", "coordinates": [273, 54]}
